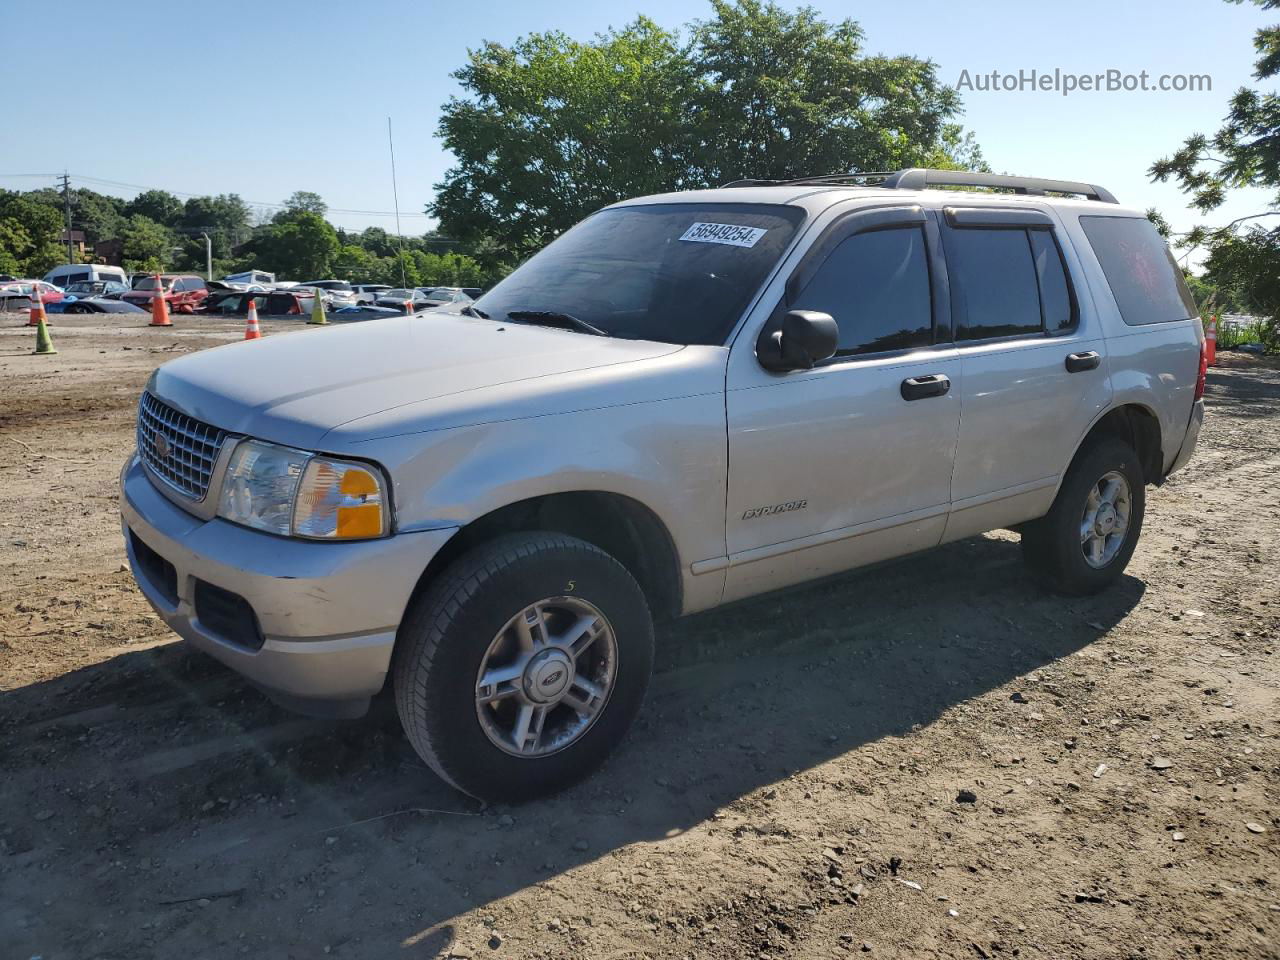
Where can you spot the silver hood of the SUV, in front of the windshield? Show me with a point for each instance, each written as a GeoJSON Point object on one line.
{"type": "Point", "coordinates": [299, 387]}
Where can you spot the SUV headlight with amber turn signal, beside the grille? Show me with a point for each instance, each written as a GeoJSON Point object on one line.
{"type": "Point", "coordinates": [296, 493]}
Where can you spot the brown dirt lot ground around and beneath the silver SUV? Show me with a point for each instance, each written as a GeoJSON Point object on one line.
{"type": "Point", "coordinates": [792, 790]}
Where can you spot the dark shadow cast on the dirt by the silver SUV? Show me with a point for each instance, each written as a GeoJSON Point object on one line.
{"type": "Point", "coordinates": [191, 770]}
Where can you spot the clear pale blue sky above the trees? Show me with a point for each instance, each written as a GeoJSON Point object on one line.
{"type": "Point", "coordinates": [268, 98]}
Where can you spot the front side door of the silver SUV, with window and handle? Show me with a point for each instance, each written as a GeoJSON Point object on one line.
{"type": "Point", "coordinates": [848, 463]}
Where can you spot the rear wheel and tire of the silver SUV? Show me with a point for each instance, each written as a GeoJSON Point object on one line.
{"type": "Point", "coordinates": [1084, 545]}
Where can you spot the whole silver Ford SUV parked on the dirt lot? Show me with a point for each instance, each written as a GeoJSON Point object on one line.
{"type": "Point", "coordinates": [684, 401]}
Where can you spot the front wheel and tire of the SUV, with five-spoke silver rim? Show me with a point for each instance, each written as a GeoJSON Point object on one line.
{"type": "Point", "coordinates": [523, 666]}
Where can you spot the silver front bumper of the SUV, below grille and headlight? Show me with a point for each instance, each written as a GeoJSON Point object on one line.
{"type": "Point", "coordinates": [323, 615]}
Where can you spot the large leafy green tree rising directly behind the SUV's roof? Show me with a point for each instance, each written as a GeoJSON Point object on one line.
{"type": "Point", "coordinates": [552, 129]}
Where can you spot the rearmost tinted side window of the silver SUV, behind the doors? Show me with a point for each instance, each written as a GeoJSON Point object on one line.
{"type": "Point", "coordinates": [1146, 282]}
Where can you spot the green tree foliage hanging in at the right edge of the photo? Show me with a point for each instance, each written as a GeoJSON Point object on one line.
{"type": "Point", "coordinates": [1245, 254]}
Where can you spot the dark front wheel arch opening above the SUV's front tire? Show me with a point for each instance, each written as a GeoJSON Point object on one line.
{"type": "Point", "coordinates": [621, 527]}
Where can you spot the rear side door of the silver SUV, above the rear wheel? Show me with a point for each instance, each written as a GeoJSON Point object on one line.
{"type": "Point", "coordinates": [1034, 363]}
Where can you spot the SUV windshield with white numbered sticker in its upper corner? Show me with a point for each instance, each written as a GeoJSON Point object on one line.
{"type": "Point", "coordinates": [675, 273]}
